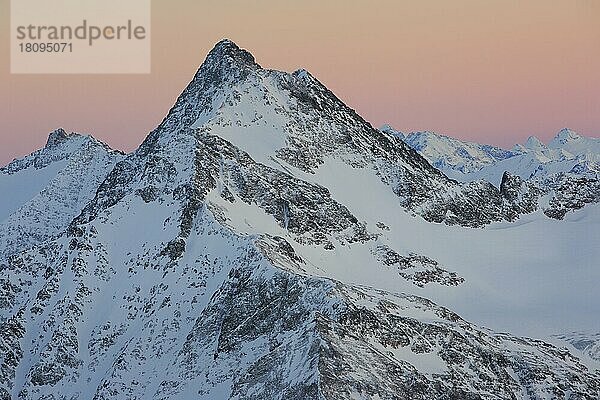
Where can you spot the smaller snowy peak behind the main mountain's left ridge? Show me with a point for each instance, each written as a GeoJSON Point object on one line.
{"type": "Point", "coordinates": [44, 191]}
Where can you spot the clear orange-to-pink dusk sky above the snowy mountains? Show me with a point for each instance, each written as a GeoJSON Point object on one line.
{"type": "Point", "coordinates": [490, 71]}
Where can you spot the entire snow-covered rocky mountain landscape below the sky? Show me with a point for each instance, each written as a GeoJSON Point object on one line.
{"type": "Point", "coordinates": [266, 242]}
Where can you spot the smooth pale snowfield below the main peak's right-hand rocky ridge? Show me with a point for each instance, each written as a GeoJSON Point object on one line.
{"type": "Point", "coordinates": [535, 276]}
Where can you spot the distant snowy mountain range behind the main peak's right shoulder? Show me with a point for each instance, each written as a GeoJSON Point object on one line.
{"type": "Point", "coordinates": [557, 178]}
